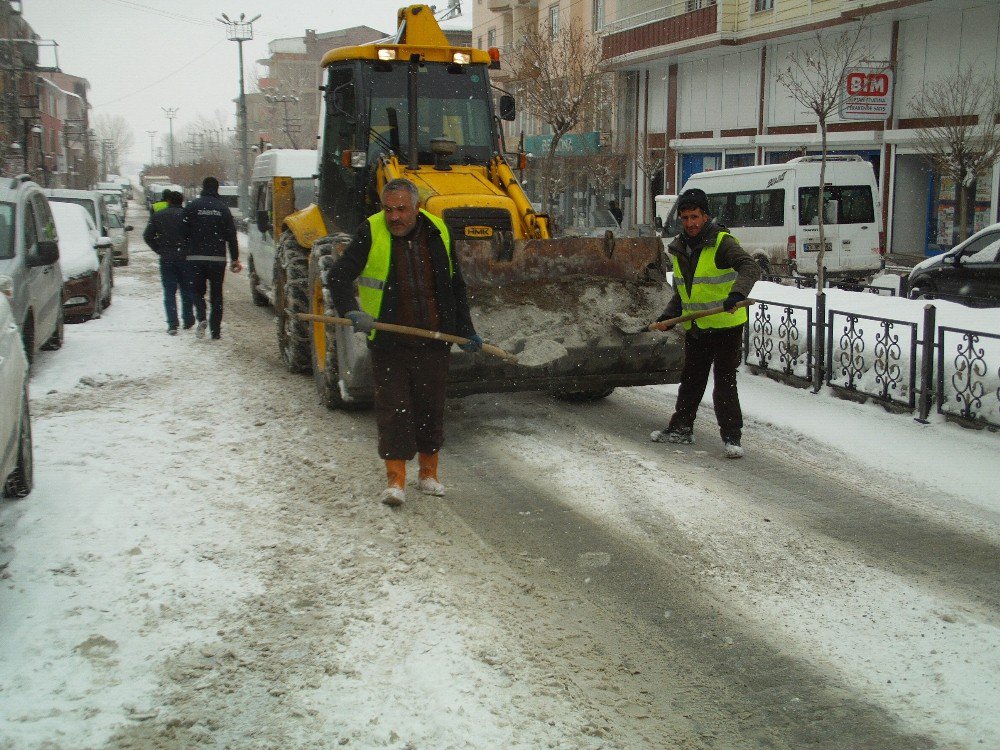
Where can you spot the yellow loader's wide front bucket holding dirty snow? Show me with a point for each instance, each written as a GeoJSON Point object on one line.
{"type": "Point", "coordinates": [556, 305]}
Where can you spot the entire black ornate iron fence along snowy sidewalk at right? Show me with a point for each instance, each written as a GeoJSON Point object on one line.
{"type": "Point", "coordinates": [889, 361]}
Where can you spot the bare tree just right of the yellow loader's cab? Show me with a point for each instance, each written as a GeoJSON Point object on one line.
{"type": "Point", "coordinates": [558, 77]}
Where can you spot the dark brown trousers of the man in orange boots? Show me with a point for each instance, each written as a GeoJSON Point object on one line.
{"type": "Point", "coordinates": [409, 399]}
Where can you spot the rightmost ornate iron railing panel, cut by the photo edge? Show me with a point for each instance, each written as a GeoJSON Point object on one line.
{"type": "Point", "coordinates": [968, 385]}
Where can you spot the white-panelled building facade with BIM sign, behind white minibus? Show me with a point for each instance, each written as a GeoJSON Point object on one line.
{"type": "Point", "coordinates": [702, 84]}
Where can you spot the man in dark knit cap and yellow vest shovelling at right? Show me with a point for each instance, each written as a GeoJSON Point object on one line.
{"type": "Point", "coordinates": [711, 271]}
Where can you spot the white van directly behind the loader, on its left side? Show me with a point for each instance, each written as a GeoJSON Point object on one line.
{"type": "Point", "coordinates": [281, 183]}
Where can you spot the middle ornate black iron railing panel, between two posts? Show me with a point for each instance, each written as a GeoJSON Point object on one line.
{"type": "Point", "coordinates": [872, 356]}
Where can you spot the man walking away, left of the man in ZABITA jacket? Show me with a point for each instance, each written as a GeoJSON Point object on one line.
{"type": "Point", "coordinates": [165, 237]}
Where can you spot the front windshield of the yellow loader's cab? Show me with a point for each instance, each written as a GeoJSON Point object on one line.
{"type": "Point", "coordinates": [452, 102]}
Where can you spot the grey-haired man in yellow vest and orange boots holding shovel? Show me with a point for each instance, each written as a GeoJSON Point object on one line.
{"type": "Point", "coordinates": [409, 276]}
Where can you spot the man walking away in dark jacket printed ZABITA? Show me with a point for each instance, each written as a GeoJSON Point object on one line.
{"type": "Point", "coordinates": [209, 228]}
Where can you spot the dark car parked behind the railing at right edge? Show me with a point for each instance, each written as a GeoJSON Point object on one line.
{"type": "Point", "coordinates": [968, 273]}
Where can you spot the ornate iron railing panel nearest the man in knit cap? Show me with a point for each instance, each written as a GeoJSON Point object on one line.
{"type": "Point", "coordinates": [778, 338]}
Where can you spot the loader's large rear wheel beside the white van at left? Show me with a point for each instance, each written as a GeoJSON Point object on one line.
{"type": "Point", "coordinates": [291, 296]}
